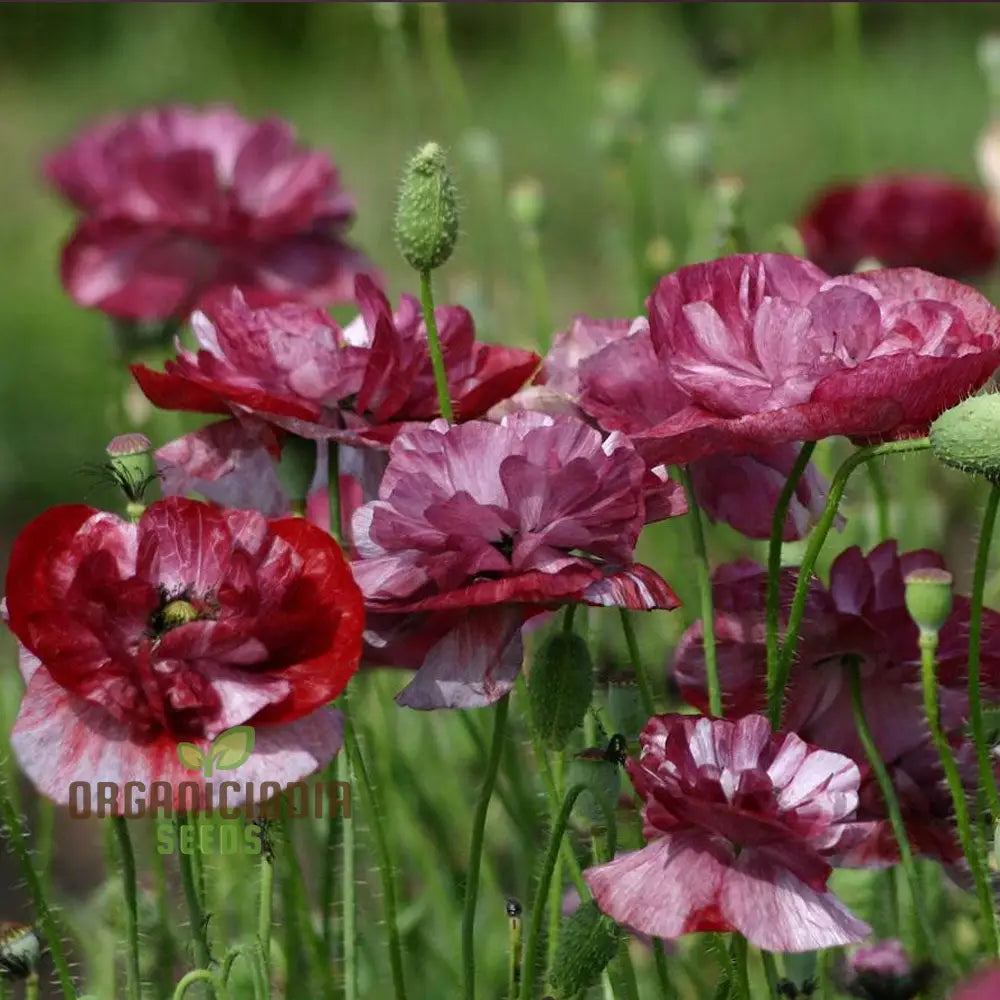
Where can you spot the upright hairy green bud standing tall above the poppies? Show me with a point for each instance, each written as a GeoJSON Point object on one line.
{"type": "Point", "coordinates": [427, 210]}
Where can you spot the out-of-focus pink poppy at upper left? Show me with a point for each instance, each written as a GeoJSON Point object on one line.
{"type": "Point", "coordinates": [178, 201]}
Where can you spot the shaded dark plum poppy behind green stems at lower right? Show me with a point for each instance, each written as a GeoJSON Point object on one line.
{"type": "Point", "coordinates": [860, 618]}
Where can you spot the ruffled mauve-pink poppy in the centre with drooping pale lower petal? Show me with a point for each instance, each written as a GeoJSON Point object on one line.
{"type": "Point", "coordinates": [480, 525]}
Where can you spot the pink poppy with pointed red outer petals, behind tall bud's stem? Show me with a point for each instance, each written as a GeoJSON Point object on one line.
{"type": "Point", "coordinates": [292, 366]}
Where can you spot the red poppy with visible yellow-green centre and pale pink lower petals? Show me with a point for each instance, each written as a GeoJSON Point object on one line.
{"type": "Point", "coordinates": [192, 621]}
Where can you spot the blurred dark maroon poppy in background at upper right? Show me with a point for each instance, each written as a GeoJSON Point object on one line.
{"type": "Point", "coordinates": [905, 221]}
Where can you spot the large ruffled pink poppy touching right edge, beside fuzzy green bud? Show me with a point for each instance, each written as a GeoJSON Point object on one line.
{"type": "Point", "coordinates": [757, 350]}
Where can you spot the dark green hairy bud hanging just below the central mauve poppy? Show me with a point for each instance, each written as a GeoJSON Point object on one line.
{"type": "Point", "coordinates": [560, 686]}
